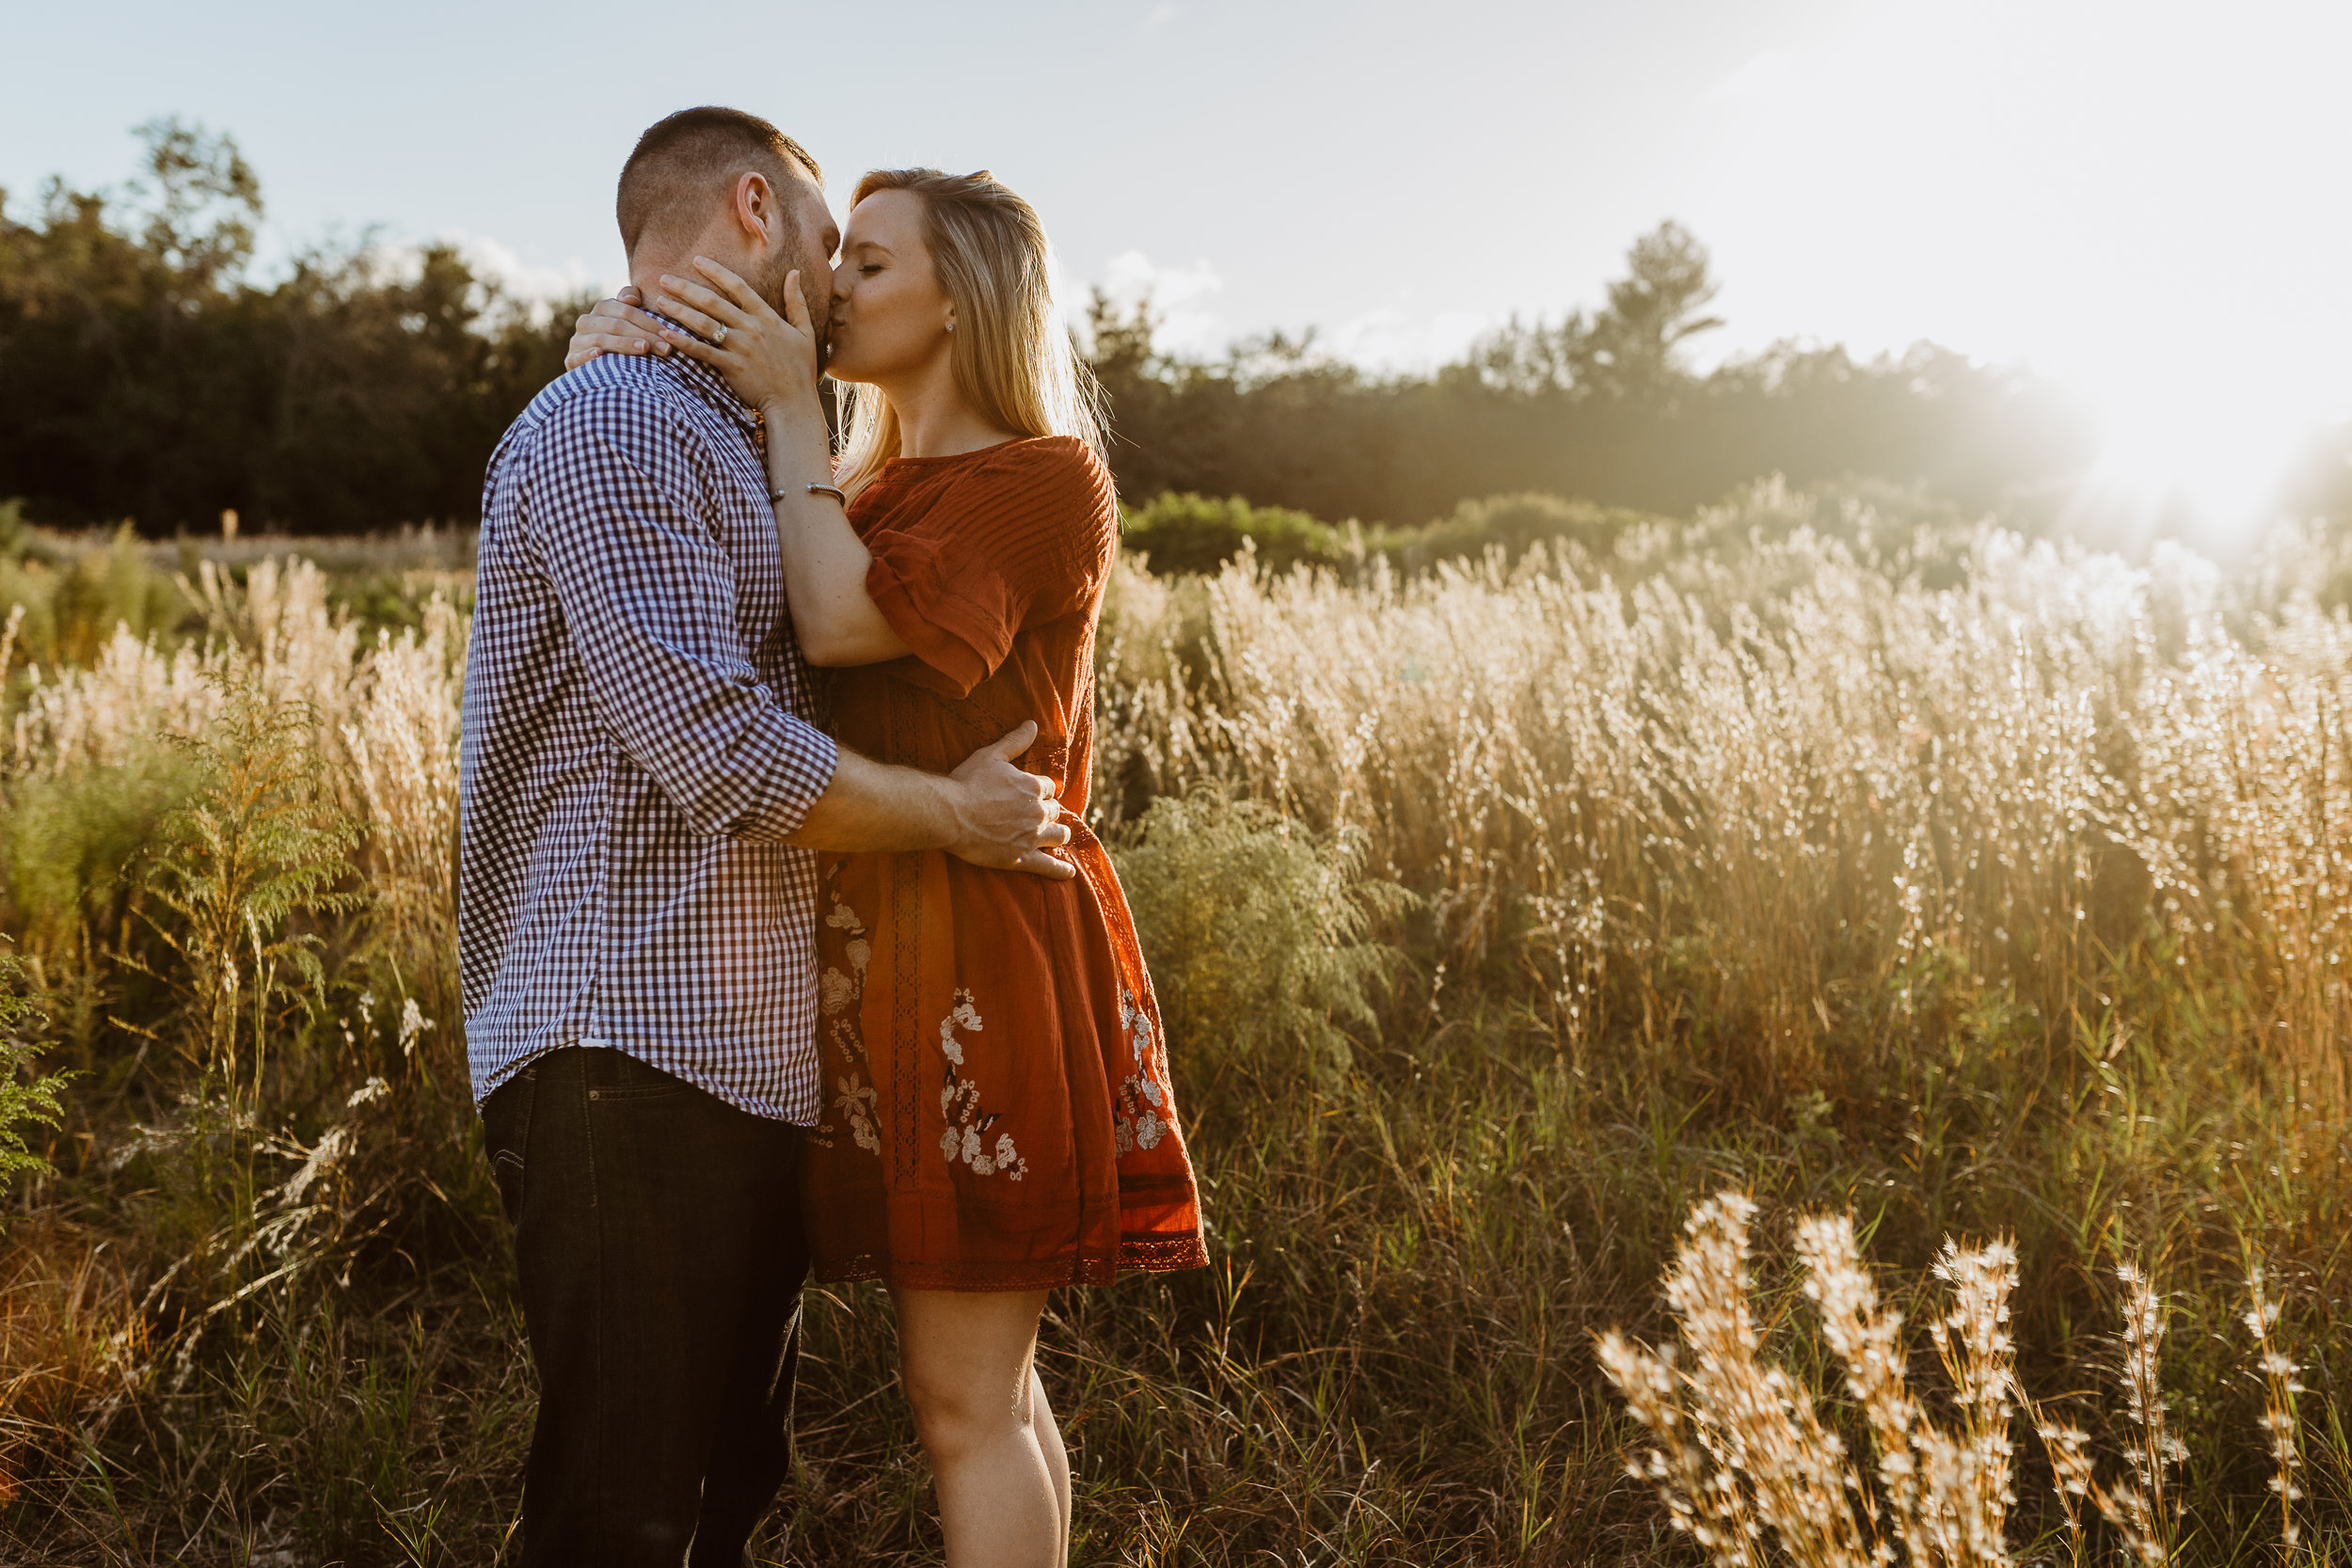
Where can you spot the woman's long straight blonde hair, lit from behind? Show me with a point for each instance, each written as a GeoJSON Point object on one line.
{"type": "Point", "coordinates": [1013, 354]}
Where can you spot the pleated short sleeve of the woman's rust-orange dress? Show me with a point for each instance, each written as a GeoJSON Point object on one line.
{"type": "Point", "coordinates": [1020, 542]}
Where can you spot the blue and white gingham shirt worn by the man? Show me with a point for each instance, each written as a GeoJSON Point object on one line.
{"type": "Point", "coordinates": [636, 749]}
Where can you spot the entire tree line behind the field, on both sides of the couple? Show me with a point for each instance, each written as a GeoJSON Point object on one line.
{"type": "Point", "coordinates": [147, 373]}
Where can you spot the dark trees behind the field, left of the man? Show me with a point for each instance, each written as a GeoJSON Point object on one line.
{"type": "Point", "coordinates": [147, 375]}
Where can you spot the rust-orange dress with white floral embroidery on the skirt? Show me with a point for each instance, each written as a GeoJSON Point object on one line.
{"type": "Point", "coordinates": [998, 1108]}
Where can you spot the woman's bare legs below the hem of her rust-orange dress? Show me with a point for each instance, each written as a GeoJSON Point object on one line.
{"type": "Point", "coordinates": [970, 1369]}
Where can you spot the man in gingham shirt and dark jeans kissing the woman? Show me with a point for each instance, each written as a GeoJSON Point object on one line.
{"type": "Point", "coordinates": [641, 798]}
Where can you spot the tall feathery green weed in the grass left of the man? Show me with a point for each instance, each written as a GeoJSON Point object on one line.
{"type": "Point", "coordinates": [255, 847]}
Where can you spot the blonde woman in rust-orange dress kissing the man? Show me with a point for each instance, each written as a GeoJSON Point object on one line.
{"type": "Point", "coordinates": [1001, 1115]}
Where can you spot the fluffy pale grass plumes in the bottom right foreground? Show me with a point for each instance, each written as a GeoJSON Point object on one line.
{"type": "Point", "coordinates": [1753, 1466]}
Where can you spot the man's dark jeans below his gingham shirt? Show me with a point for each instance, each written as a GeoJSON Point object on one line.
{"type": "Point", "coordinates": [657, 1238]}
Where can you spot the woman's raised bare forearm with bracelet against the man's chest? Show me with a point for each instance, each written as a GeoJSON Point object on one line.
{"type": "Point", "coordinates": [824, 561]}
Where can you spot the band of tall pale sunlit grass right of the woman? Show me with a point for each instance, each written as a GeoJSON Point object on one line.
{"type": "Point", "coordinates": [1829, 789]}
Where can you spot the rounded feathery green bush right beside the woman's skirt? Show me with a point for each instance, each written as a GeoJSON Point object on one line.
{"type": "Point", "coordinates": [1257, 934]}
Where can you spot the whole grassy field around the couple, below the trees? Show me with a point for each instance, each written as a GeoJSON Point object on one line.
{"type": "Point", "coordinates": [1504, 913]}
